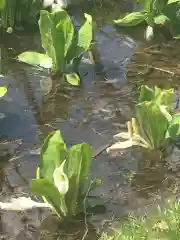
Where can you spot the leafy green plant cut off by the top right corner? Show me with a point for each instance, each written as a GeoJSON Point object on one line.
{"type": "Point", "coordinates": [164, 13]}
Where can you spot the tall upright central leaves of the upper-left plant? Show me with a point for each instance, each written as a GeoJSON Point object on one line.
{"type": "Point", "coordinates": [57, 32]}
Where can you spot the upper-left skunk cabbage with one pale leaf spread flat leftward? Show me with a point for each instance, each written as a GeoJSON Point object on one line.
{"type": "Point", "coordinates": [64, 45]}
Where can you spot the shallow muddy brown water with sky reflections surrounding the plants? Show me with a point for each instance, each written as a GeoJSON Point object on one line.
{"type": "Point", "coordinates": [92, 112]}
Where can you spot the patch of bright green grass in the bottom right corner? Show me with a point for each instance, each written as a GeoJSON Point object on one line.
{"type": "Point", "coordinates": [164, 224]}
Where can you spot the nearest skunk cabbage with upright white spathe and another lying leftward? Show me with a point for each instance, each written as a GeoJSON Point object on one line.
{"type": "Point", "coordinates": [61, 180]}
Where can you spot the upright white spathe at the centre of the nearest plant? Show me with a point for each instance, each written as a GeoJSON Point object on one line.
{"type": "Point", "coordinates": [60, 179]}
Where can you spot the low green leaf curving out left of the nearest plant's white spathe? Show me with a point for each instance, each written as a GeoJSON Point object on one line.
{"type": "Point", "coordinates": [43, 187]}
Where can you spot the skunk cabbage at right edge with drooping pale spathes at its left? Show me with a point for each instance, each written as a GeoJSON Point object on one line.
{"type": "Point", "coordinates": [155, 125]}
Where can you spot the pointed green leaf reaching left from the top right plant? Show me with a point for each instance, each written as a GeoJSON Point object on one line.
{"type": "Point", "coordinates": [132, 19]}
